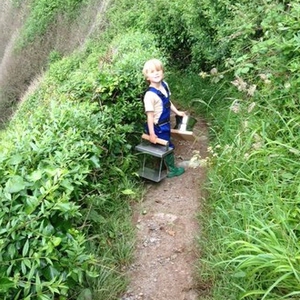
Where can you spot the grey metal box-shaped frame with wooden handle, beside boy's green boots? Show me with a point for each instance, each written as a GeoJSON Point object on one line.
{"type": "Point", "coordinates": [152, 151]}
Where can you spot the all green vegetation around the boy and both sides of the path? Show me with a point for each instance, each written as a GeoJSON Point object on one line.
{"type": "Point", "coordinates": [67, 165]}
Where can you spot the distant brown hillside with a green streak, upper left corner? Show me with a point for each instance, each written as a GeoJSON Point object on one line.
{"type": "Point", "coordinates": [34, 34]}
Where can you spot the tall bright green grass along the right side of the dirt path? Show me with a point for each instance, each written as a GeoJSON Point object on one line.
{"type": "Point", "coordinates": [254, 199]}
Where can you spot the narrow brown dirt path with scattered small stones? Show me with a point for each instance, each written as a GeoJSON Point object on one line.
{"type": "Point", "coordinates": [167, 229]}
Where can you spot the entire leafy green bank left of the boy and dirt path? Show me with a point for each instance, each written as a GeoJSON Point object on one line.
{"type": "Point", "coordinates": [68, 176]}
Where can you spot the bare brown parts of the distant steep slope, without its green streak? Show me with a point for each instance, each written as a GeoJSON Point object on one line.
{"type": "Point", "coordinates": [65, 34]}
